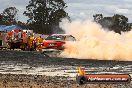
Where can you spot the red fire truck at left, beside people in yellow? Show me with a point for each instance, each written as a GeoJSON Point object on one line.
{"type": "Point", "coordinates": [18, 39]}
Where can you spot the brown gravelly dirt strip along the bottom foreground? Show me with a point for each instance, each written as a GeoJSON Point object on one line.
{"type": "Point", "coordinates": [35, 81]}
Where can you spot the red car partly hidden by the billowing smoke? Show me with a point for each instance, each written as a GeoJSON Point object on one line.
{"type": "Point", "coordinates": [57, 41]}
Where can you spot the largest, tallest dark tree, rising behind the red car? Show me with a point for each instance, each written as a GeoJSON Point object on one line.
{"type": "Point", "coordinates": [45, 15]}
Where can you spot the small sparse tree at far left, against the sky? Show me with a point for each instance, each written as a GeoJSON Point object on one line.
{"type": "Point", "coordinates": [9, 15]}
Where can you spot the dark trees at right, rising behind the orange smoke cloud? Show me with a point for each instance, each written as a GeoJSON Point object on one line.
{"type": "Point", "coordinates": [117, 23]}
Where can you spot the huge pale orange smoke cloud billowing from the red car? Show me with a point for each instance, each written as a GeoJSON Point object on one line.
{"type": "Point", "coordinates": [94, 42]}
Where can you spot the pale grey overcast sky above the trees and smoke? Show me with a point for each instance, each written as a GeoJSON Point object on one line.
{"type": "Point", "coordinates": [80, 9]}
